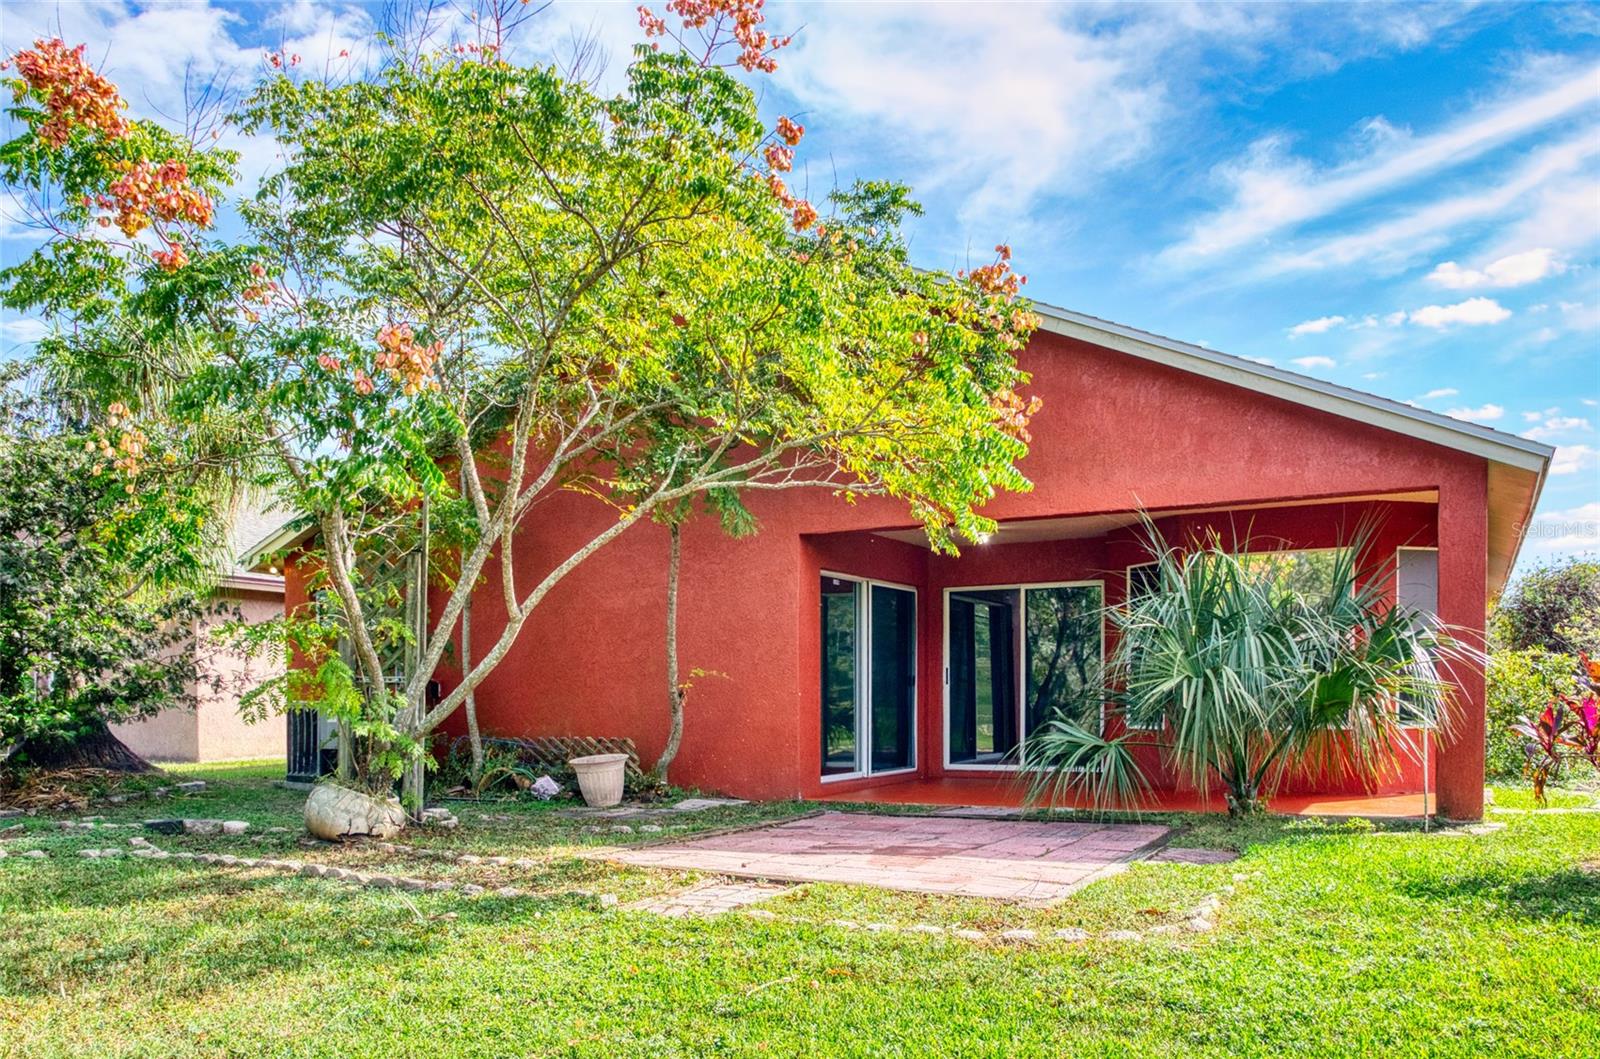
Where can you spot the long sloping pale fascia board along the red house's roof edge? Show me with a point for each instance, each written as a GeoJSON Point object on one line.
{"type": "Point", "coordinates": [1340, 401]}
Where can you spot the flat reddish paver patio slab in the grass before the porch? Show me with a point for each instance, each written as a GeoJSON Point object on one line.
{"type": "Point", "coordinates": [975, 858]}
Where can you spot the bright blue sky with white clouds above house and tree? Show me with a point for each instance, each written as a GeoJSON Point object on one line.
{"type": "Point", "coordinates": [1399, 199]}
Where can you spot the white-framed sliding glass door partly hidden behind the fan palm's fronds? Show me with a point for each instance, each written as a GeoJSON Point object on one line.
{"type": "Point", "coordinates": [1017, 657]}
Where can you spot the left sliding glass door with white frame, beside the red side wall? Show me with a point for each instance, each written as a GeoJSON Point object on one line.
{"type": "Point", "coordinates": [870, 677]}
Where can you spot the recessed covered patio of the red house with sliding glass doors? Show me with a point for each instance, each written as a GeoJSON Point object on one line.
{"type": "Point", "coordinates": [938, 669]}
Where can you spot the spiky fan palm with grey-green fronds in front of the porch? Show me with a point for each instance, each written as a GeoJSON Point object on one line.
{"type": "Point", "coordinates": [1236, 674]}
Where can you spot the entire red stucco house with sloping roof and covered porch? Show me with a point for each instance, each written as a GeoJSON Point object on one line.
{"type": "Point", "coordinates": [929, 658]}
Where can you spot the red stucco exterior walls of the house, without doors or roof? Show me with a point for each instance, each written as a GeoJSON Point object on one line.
{"type": "Point", "coordinates": [1116, 433]}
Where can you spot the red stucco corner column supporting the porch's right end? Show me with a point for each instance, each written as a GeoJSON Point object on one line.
{"type": "Point", "coordinates": [1463, 591]}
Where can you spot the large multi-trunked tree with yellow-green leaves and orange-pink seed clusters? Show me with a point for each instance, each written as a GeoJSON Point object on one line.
{"type": "Point", "coordinates": [474, 286]}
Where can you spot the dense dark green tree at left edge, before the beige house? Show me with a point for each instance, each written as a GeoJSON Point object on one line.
{"type": "Point", "coordinates": [86, 641]}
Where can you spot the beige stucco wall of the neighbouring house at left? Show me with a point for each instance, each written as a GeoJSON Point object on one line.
{"type": "Point", "coordinates": [215, 732]}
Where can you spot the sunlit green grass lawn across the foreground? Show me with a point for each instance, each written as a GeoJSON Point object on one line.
{"type": "Point", "coordinates": [1350, 943]}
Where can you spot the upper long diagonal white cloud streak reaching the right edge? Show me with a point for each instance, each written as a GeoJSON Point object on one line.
{"type": "Point", "coordinates": [1273, 193]}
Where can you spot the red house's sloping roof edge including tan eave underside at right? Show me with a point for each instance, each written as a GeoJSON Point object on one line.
{"type": "Point", "coordinates": [1518, 466]}
